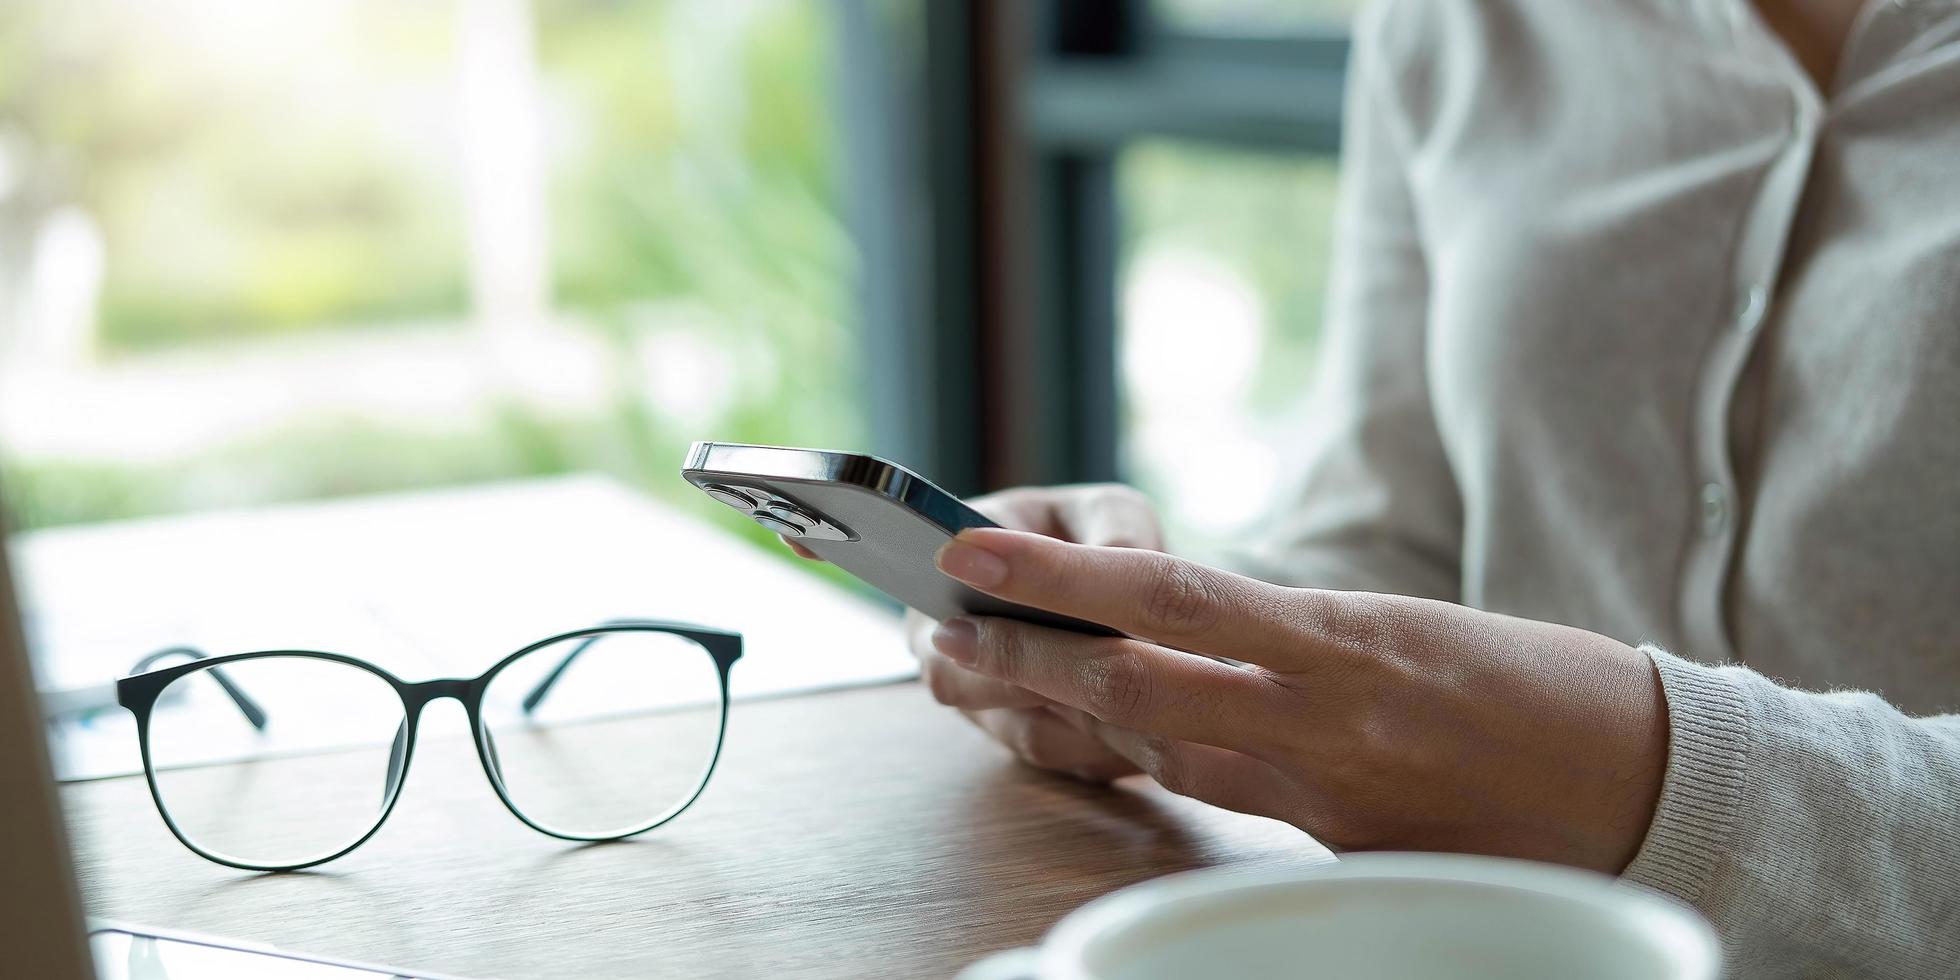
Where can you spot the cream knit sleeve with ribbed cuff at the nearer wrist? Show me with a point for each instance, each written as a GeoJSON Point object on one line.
{"type": "Point", "coordinates": [1818, 832]}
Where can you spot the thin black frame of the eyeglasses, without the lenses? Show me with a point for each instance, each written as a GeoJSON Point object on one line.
{"type": "Point", "coordinates": [140, 693]}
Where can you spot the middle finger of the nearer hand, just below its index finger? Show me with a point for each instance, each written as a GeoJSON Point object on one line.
{"type": "Point", "coordinates": [1120, 681]}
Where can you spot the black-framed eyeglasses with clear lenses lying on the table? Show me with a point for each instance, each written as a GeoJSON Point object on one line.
{"type": "Point", "coordinates": [289, 759]}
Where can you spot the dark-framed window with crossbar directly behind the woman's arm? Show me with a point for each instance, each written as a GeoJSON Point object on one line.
{"type": "Point", "coordinates": [1183, 158]}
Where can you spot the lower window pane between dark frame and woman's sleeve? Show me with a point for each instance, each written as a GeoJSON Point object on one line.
{"type": "Point", "coordinates": [1220, 303]}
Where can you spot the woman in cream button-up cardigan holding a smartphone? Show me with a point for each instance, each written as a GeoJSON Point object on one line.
{"type": "Point", "coordinates": [1638, 456]}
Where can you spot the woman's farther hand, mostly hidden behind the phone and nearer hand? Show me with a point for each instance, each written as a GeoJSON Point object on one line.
{"type": "Point", "coordinates": [1028, 724]}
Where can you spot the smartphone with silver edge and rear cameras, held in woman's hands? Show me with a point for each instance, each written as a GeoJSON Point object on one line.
{"type": "Point", "coordinates": [863, 514]}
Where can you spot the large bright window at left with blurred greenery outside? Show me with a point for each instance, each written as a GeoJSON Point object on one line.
{"type": "Point", "coordinates": [271, 252]}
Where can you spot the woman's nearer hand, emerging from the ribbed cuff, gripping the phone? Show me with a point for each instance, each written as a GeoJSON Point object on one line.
{"type": "Point", "coordinates": [1371, 722]}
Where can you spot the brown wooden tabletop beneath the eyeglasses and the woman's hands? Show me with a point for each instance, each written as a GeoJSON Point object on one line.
{"type": "Point", "coordinates": [850, 834]}
